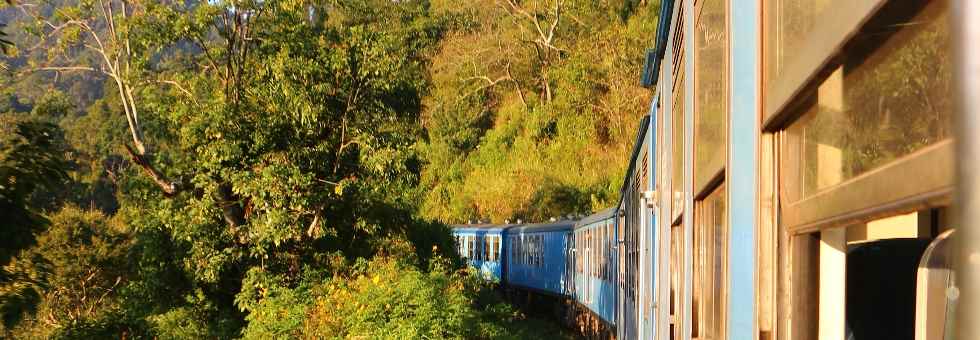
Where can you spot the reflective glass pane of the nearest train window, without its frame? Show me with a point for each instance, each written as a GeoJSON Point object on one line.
{"type": "Point", "coordinates": [888, 98]}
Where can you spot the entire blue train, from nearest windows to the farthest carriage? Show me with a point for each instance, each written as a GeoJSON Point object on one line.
{"type": "Point", "coordinates": [792, 179]}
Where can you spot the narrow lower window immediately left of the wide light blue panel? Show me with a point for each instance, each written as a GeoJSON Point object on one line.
{"type": "Point", "coordinates": [710, 262]}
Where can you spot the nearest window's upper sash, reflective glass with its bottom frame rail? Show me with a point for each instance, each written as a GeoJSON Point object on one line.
{"type": "Point", "coordinates": [880, 114]}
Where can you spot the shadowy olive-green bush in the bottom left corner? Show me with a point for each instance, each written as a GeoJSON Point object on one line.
{"type": "Point", "coordinates": [76, 271]}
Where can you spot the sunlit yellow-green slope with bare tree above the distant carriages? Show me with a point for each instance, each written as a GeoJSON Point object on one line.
{"type": "Point", "coordinates": [533, 108]}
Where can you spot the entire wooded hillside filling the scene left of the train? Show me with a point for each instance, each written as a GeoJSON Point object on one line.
{"type": "Point", "coordinates": [225, 169]}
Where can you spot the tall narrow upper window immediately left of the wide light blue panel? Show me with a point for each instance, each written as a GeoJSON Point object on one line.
{"type": "Point", "coordinates": [710, 90]}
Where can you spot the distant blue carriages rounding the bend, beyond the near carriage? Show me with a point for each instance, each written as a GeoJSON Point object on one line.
{"type": "Point", "coordinates": [565, 259]}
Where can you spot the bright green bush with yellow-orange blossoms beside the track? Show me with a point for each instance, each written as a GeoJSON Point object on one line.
{"type": "Point", "coordinates": [386, 298]}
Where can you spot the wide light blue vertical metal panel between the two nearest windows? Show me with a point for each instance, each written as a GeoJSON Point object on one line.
{"type": "Point", "coordinates": [743, 159]}
